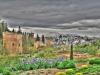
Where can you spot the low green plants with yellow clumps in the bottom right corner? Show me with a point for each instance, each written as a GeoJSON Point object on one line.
{"type": "Point", "coordinates": [84, 70]}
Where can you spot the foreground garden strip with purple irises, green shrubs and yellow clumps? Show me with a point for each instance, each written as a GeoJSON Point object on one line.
{"type": "Point", "coordinates": [53, 66]}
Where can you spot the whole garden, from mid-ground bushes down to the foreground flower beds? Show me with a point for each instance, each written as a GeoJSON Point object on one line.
{"type": "Point", "coordinates": [48, 62]}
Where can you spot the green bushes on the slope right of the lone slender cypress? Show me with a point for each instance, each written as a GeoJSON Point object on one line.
{"type": "Point", "coordinates": [89, 48]}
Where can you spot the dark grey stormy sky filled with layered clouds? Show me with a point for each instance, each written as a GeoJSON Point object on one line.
{"type": "Point", "coordinates": [63, 16]}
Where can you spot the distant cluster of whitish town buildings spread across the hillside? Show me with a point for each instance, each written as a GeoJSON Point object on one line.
{"type": "Point", "coordinates": [70, 38]}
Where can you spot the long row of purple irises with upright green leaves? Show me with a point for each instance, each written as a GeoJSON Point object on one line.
{"type": "Point", "coordinates": [37, 63]}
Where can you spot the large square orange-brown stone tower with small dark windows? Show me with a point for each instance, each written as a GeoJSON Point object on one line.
{"type": "Point", "coordinates": [13, 42]}
